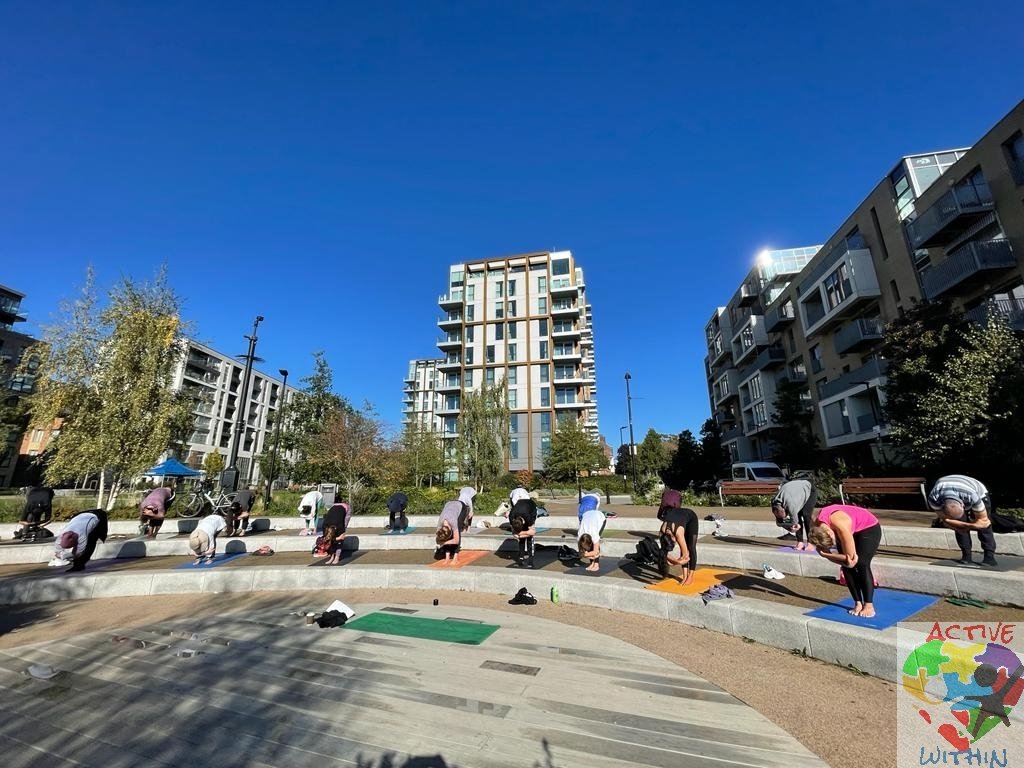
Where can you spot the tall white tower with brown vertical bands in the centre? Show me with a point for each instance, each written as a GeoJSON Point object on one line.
{"type": "Point", "coordinates": [525, 320]}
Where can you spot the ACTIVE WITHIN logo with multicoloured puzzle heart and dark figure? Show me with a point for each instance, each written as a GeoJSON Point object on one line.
{"type": "Point", "coordinates": [959, 694]}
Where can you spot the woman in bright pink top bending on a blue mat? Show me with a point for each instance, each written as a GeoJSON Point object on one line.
{"type": "Point", "coordinates": [856, 533]}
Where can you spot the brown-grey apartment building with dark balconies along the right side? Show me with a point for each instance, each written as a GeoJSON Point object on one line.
{"type": "Point", "coordinates": [946, 226]}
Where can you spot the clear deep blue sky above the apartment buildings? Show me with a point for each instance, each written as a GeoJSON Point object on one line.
{"type": "Point", "coordinates": [323, 163]}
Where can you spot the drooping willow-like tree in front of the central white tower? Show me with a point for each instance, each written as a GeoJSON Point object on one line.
{"type": "Point", "coordinates": [484, 435]}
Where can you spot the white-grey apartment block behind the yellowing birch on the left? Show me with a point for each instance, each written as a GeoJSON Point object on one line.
{"type": "Point", "coordinates": [216, 380]}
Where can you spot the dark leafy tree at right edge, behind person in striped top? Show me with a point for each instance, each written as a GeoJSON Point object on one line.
{"type": "Point", "coordinates": [954, 393]}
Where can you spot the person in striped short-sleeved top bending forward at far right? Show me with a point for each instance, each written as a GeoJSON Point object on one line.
{"type": "Point", "coordinates": [963, 504]}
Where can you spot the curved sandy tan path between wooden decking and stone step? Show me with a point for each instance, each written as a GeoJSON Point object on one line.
{"type": "Point", "coordinates": [789, 690]}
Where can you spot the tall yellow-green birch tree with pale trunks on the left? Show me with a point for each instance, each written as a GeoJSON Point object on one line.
{"type": "Point", "coordinates": [106, 375]}
